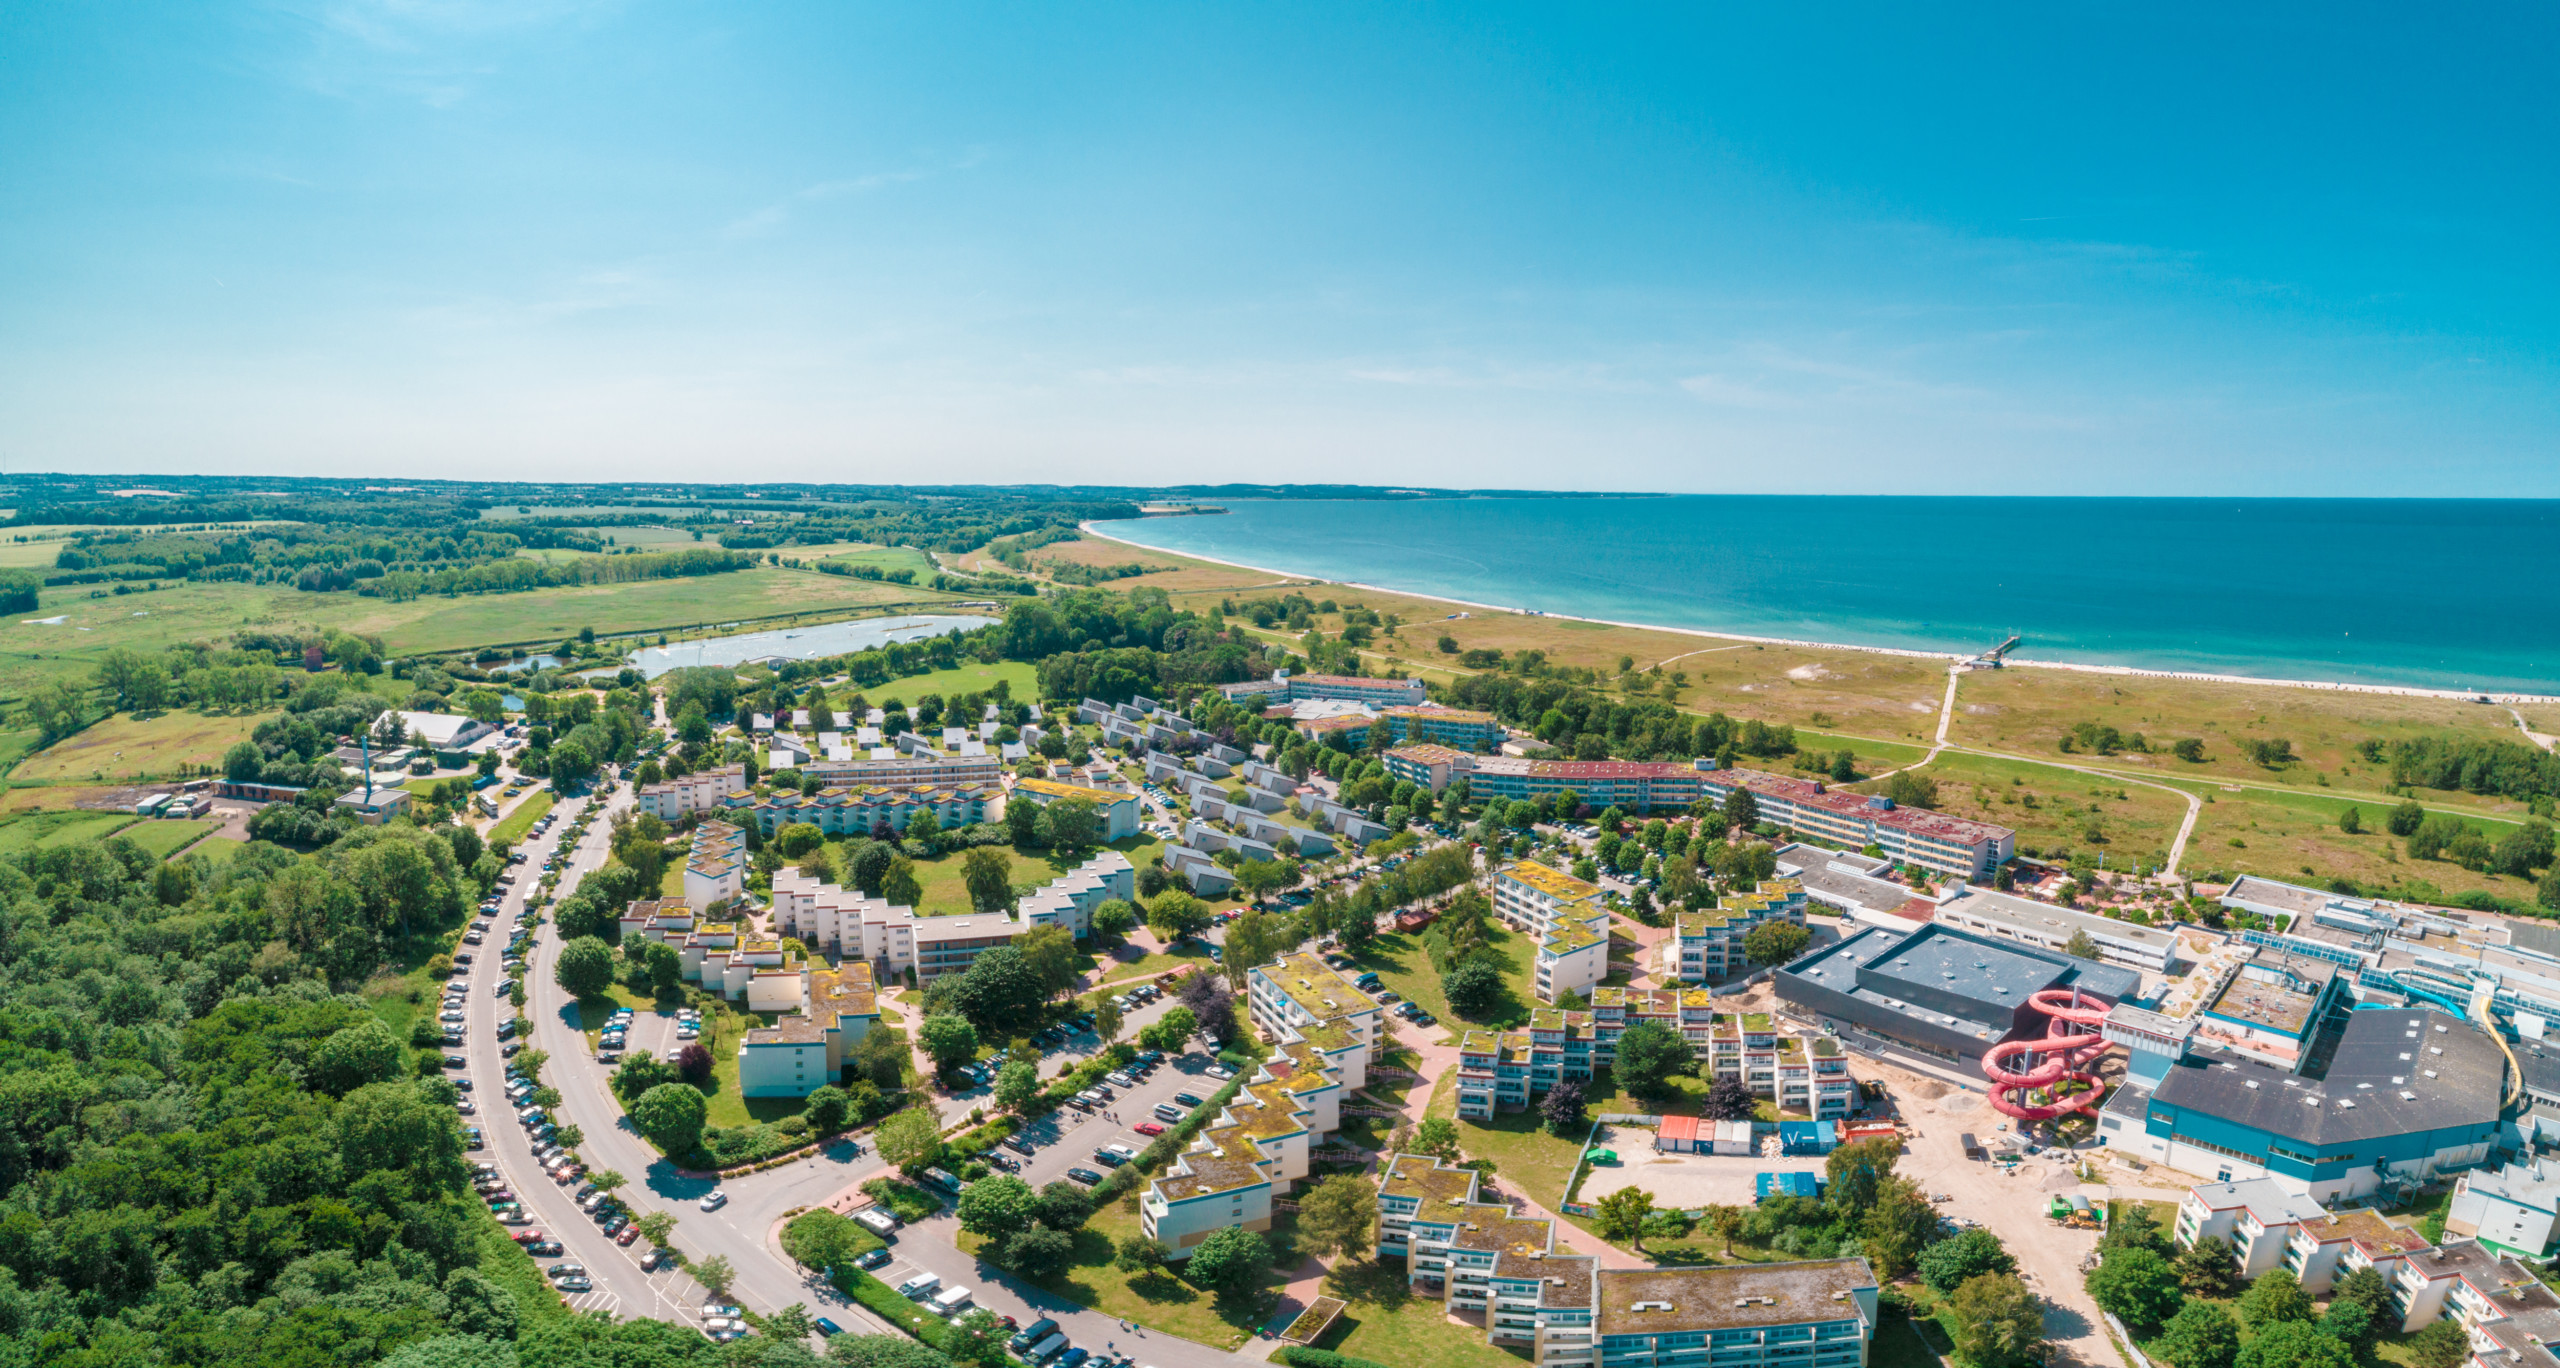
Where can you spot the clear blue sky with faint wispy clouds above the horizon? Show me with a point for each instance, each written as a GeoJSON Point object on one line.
{"type": "Point", "coordinates": [2070, 250]}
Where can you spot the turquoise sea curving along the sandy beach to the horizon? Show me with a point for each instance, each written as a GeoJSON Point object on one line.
{"type": "Point", "coordinates": [2420, 593]}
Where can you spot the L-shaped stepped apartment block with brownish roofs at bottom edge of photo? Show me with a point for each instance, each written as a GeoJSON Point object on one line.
{"type": "Point", "coordinates": [1571, 1313]}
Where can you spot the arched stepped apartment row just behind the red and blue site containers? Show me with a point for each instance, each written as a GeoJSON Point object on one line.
{"type": "Point", "coordinates": [1509, 1070]}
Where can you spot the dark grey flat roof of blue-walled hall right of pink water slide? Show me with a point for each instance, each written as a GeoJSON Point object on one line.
{"type": "Point", "coordinates": [2369, 1090]}
